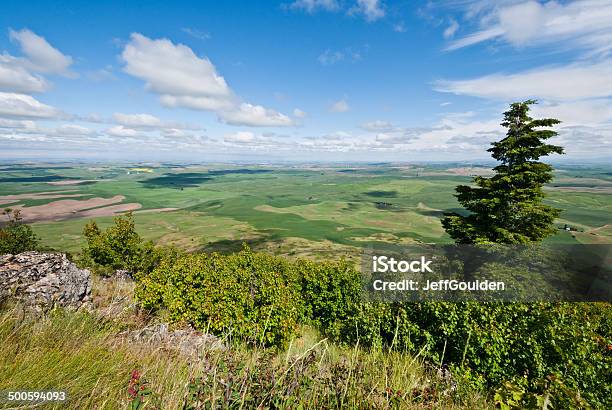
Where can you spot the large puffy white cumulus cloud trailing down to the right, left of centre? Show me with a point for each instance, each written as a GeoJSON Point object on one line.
{"type": "Point", "coordinates": [182, 79]}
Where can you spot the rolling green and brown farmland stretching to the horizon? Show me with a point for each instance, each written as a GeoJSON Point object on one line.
{"type": "Point", "coordinates": [309, 210]}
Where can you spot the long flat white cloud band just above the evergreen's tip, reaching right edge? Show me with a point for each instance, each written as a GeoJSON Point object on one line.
{"type": "Point", "coordinates": [571, 82]}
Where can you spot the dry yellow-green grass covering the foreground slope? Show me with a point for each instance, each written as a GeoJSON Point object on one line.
{"type": "Point", "coordinates": [81, 353]}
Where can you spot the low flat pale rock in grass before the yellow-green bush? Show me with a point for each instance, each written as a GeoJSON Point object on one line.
{"type": "Point", "coordinates": [188, 341]}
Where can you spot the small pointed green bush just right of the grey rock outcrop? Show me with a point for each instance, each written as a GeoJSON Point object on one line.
{"type": "Point", "coordinates": [120, 247]}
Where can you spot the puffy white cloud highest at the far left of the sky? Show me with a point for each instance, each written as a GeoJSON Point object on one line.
{"type": "Point", "coordinates": [41, 56]}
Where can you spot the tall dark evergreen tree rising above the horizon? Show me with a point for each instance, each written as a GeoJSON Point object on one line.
{"type": "Point", "coordinates": [507, 208]}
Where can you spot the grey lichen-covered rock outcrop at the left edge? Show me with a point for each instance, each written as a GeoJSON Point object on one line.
{"type": "Point", "coordinates": [44, 280]}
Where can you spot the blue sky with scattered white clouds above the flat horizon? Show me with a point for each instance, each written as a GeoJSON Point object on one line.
{"type": "Point", "coordinates": [300, 80]}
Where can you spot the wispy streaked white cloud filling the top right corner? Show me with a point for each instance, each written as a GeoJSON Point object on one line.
{"type": "Point", "coordinates": [578, 24]}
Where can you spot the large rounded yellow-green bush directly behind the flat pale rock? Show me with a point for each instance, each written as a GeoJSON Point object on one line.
{"type": "Point", "coordinates": [252, 296]}
